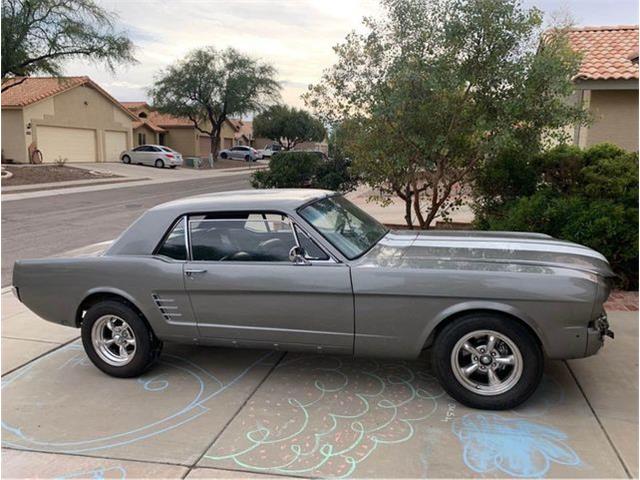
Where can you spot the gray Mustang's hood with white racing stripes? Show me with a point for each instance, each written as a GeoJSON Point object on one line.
{"type": "Point", "coordinates": [475, 249]}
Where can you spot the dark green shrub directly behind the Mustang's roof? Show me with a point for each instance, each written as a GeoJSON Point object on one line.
{"type": "Point", "coordinates": [304, 170]}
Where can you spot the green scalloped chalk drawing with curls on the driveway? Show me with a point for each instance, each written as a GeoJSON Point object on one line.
{"type": "Point", "coordinates": [341, 414]}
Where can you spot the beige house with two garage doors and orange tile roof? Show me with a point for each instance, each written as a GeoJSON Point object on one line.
{"type": "Point", "coordinates": [70, 118]}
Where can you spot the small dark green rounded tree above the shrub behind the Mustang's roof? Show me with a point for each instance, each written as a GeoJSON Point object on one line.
{"type": "Point", "coordinates": [288, 126]}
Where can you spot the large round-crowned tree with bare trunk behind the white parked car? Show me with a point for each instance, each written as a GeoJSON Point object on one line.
{"type": "Point", "coordinates": [208, 86]}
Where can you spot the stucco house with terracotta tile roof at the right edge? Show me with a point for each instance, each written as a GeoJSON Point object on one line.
{"type": "Point", "coordinates": [607, 84]}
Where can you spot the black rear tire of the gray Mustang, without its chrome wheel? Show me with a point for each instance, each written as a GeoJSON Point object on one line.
{"type": "Point", "coordinates": [145, 340]}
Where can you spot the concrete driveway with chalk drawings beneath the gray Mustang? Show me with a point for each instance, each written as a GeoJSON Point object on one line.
{"type": "Point", "coordinates": [217, 413]}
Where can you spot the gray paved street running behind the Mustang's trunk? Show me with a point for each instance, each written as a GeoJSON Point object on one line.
{"type": "Point", "coordinates": [40, 227]}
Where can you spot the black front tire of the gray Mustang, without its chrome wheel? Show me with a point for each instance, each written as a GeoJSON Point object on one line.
{"type": "Point", "coordinates": [532, 357]}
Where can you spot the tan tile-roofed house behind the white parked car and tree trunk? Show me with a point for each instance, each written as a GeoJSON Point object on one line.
{"type": "Point", "coordinates": [179, 133]}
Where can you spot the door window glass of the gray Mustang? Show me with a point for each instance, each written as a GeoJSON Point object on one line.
{"type": "Point", "coordinates": [242, 238]}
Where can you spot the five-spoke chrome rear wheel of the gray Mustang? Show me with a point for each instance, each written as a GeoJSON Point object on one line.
{"type": "Point", "coordinates": [113, 340]}
